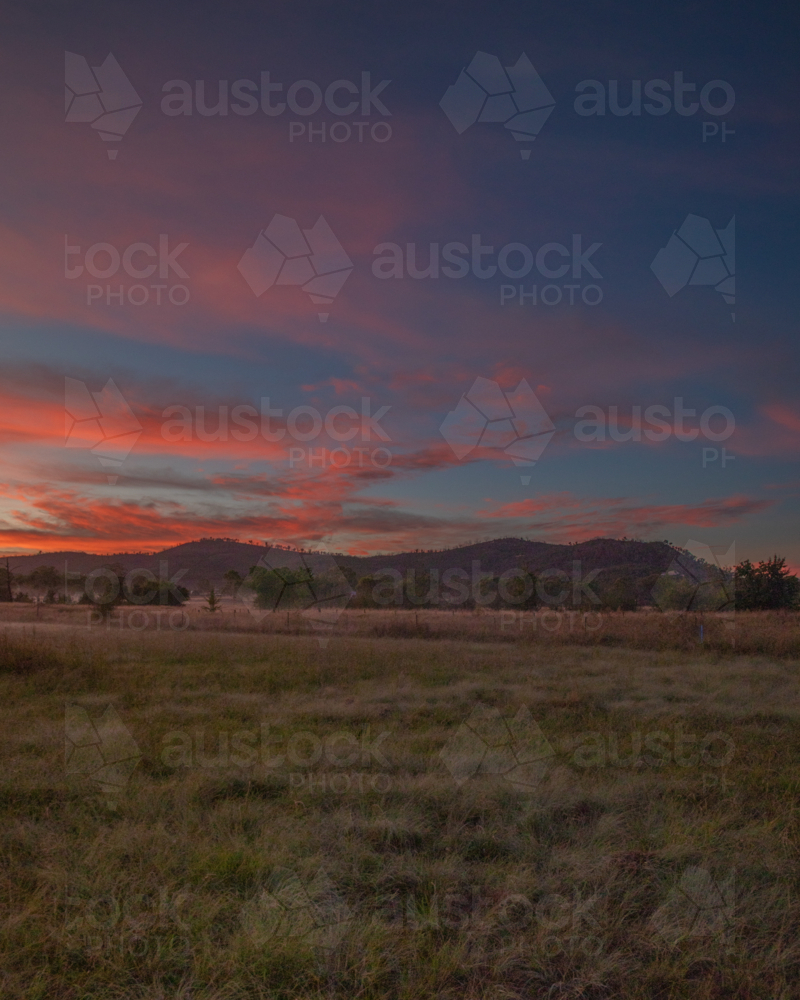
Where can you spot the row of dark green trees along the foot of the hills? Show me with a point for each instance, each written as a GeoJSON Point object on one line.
{"type": "Point", "coordinates": [768, 585]}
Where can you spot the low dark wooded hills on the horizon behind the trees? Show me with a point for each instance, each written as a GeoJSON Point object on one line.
{"type": "Point", "coordinates": [206, 561]}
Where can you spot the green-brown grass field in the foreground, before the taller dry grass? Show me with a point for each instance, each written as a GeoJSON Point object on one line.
{"type": "Point", "coordinates": [221, 815]}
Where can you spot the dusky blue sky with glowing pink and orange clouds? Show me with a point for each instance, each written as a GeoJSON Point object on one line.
{"type": "Point", "coordinates": [310, 273]}
